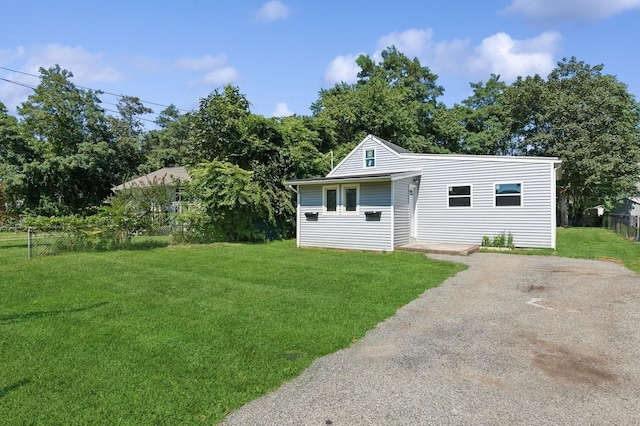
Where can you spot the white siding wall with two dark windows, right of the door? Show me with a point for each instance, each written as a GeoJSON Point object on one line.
{"type": "Point", "coordinates": [532, 226]}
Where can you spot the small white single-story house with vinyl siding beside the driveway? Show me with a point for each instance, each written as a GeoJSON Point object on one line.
{"type": "Point", "coordinates": [382, 196]}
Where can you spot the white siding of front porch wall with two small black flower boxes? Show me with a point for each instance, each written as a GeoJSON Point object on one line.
{"type": "Point", "coordinates": [350, 230]}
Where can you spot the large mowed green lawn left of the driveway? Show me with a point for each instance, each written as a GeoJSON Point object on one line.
{"type": "Point", "coordinates": [184, 334]}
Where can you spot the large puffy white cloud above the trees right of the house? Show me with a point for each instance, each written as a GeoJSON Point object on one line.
{"type": "Point", "coordinates": [501, 54]}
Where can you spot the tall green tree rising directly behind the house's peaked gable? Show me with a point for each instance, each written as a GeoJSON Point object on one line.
{"type": "Point", "coordinates": [396, 99]}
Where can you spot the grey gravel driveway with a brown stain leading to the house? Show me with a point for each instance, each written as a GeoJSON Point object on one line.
{"type": "Point", "coordinates": [512, 340]}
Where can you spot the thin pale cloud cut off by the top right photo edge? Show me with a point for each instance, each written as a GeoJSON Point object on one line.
{"type": "Point", "coordinates": [553, 11]}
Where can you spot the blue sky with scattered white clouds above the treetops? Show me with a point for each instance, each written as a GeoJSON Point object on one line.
{"type": "Point", "coordinates": [280, 53]}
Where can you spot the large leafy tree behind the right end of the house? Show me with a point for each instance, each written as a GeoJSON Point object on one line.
{"type": "Point", "coordinates": [590, 121]}
